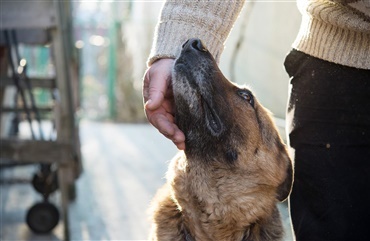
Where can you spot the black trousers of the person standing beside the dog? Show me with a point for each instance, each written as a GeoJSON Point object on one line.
{"type": "Point", "coordinates": [329, 133]}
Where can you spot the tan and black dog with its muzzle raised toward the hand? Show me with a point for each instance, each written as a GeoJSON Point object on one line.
{"type": "Point", "coordinates": [226, 184]}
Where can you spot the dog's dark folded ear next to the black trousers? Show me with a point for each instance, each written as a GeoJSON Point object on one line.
{"type": "Point", "coordinates": [284, 189]}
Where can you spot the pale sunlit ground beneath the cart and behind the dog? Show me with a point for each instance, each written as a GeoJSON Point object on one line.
{"type": "Point", "coordinates": [124, 165]}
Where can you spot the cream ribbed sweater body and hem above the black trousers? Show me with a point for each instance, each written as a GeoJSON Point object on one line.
{"type": "Point", "coordinates": [337, 31]}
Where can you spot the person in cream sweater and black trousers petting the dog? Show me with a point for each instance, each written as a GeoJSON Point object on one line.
{"type": "Point", "coordinates": [328, 113]}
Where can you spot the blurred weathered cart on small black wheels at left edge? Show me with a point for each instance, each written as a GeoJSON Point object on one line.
{"type": "Point", "coordinates": [59, 159]}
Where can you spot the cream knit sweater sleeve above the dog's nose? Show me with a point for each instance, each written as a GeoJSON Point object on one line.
{"type": "Point", "coordinates": [210, 21]}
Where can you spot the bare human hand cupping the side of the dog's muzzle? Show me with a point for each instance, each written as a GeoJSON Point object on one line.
{"type": "Point", "coordinates": [159, 101]}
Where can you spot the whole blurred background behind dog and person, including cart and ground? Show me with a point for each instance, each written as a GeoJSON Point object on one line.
{"type": "Point", "coordinates": [85, 96]}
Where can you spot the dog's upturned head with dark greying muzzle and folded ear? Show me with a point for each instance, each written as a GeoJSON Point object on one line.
{"type": "Point", "coordinates": [224, 122]}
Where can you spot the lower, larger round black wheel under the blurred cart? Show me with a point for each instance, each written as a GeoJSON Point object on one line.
{"type": "Point", "coordinates": [42, 217]}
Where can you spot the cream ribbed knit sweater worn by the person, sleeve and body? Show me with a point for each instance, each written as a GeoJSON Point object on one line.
{"type": "Point", "coordinates": [334, 30]}
